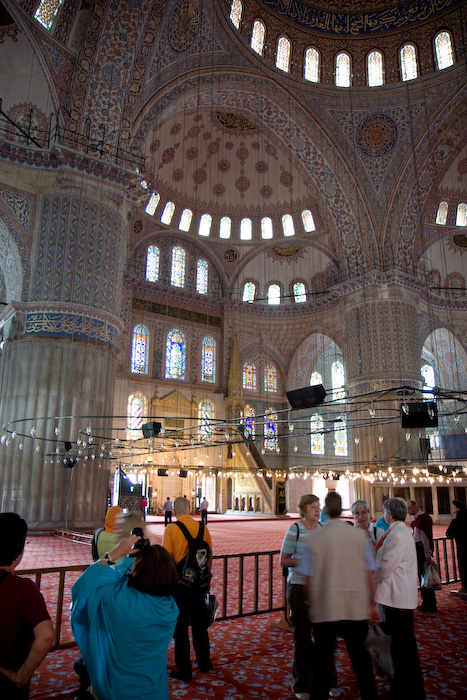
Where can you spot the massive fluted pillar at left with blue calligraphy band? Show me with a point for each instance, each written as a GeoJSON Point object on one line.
{"type": "Point", "coordinates": [59, 356]}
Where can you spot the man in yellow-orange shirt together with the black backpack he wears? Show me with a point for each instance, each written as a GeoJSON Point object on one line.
{"type": "Point", "coordinates": [190, 545]}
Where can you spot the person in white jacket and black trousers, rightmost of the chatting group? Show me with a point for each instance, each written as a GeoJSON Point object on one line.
{"type": "Point", "coordinates": [396, 593]}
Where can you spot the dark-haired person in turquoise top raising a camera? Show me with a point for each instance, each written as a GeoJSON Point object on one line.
{"type": "Point", "coordinates": [123, 619]}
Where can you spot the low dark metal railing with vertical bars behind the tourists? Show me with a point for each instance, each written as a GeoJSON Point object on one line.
{"type": "Point", "coordinates": [244, 584]}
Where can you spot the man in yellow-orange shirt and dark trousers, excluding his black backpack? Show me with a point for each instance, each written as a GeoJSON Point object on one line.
{"type": "Point", "coordinates": [190, 599]}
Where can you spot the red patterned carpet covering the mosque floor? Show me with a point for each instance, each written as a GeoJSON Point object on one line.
{"type": "Point", "coordinates": [251, 658]}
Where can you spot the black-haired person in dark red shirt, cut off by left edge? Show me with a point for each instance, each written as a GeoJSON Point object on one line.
{"type": "Point", "coordinates": [26, 630]}
